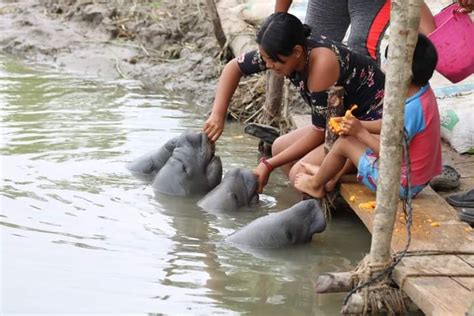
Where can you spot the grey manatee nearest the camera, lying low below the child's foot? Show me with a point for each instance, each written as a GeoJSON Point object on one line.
{"type": "Point", "coordinates": [295, 225]}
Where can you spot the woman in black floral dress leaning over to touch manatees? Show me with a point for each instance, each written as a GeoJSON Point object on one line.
{"type": "Point", "coordinates": [313, 65]}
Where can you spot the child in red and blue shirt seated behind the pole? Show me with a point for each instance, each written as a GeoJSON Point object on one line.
{"type": "Point", "coordinates": [421, 129]}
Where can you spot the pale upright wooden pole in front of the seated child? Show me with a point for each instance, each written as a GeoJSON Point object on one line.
{"type": "Point", "coordinates": [403, 28]}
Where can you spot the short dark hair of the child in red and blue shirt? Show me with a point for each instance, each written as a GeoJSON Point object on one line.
{"type": "Point", "coordinates": [424, 62]}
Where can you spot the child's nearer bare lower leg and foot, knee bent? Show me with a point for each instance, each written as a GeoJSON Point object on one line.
{"type": "Point", "coordinates": [345, 147]}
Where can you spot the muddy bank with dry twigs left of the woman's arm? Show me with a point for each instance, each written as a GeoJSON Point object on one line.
{"type": "Point", "coordinates": [166, 44]}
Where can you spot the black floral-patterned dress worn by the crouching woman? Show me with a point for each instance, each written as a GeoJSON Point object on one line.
{"type": "Point", "coordinates": [362, 79]}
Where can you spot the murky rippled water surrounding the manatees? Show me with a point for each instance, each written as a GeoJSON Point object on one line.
{"type": "Point", "coordinates": [79, 234]}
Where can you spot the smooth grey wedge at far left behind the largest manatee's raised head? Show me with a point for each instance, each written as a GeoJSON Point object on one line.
{"type": "Point", "coordinates": [149, 164]}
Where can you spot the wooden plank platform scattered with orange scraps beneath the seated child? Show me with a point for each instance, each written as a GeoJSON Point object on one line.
{"type": "Point", "coordinates": [435, 295]}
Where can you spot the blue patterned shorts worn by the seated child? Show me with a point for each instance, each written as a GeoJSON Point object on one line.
{"type": "Point", "coordinates": [368, 174]}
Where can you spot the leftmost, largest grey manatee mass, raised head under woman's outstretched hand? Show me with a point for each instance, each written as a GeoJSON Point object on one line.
{"type": "Point", "coordinates": [183, 166]}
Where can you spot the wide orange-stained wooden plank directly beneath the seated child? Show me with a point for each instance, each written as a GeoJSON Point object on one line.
{"type": "Point", "coordinates": [428, 208]}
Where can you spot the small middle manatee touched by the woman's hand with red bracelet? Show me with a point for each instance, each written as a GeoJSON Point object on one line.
{"type": "Point", "coordinates": [237, 189]}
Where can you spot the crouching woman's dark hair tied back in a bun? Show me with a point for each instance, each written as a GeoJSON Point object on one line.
{"type": "Point", "coordinates": [280, 32]}
